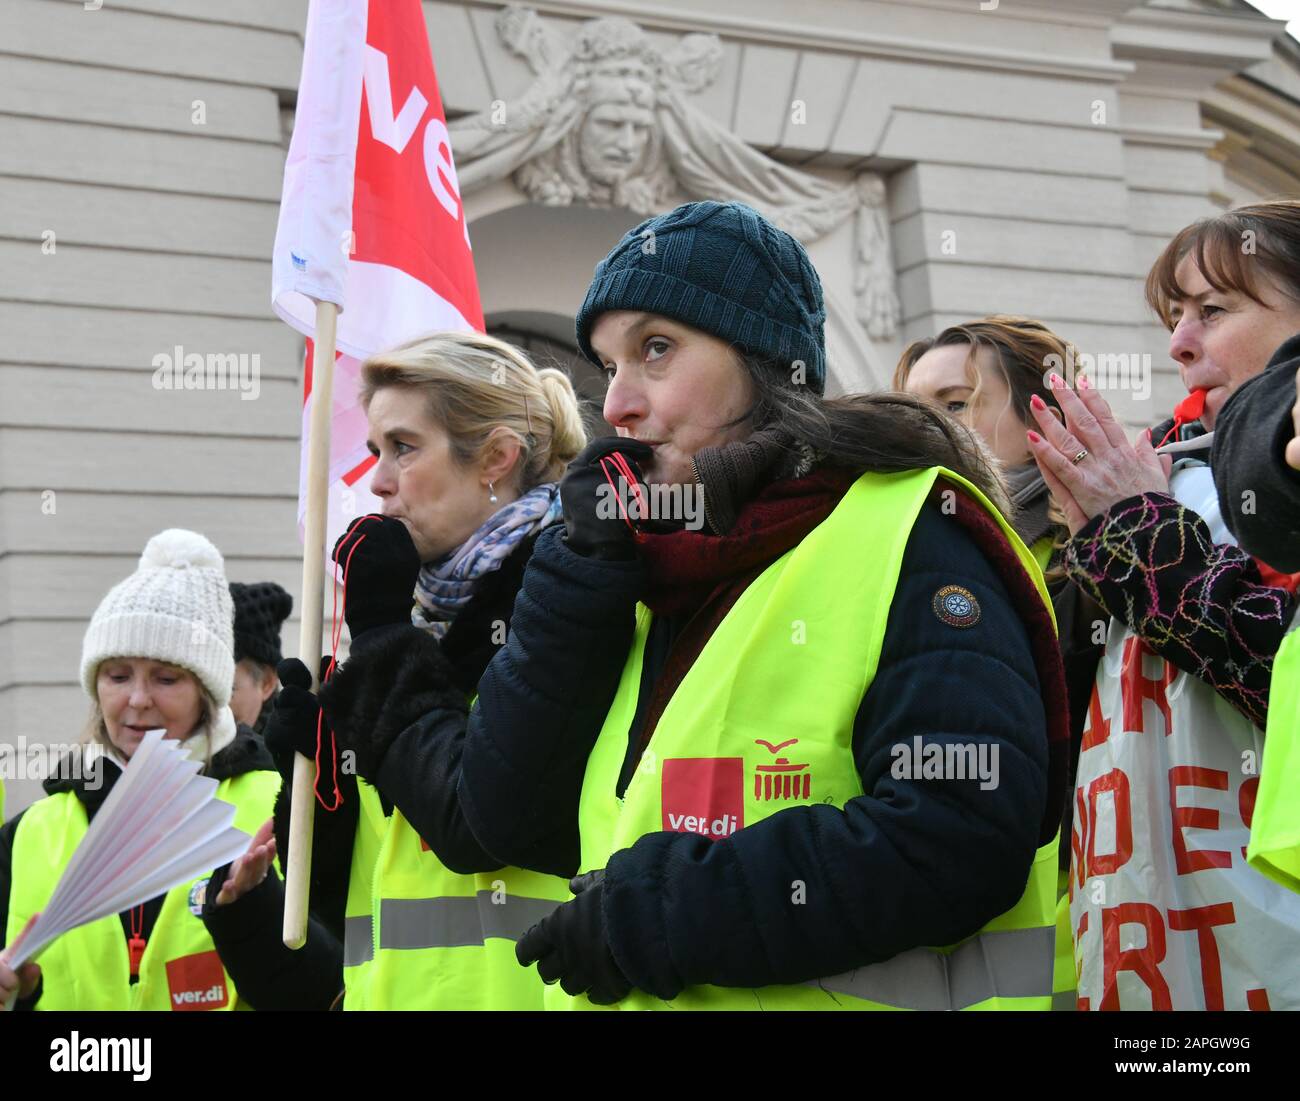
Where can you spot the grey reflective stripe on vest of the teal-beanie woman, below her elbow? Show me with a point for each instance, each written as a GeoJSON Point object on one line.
{"type": "Point", "coordinates": [1013, 964]}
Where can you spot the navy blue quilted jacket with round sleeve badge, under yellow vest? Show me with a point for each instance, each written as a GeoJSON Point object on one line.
{"type": "Point", "coordinates": [909, 864]}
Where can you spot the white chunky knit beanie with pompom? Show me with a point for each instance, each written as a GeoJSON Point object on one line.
{"type": "Point", "coordinates": [176, 608]}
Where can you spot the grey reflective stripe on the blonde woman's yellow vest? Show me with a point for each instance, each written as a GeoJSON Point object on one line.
{"type": "Point", "coordinates": [406, 924]}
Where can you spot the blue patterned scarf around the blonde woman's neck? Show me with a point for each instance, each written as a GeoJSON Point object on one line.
{"type": "Point", "coordinates": [448, 584]}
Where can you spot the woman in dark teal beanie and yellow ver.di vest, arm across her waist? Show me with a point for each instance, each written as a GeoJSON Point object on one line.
{"type": "Point", "coordinates": [757, 687]}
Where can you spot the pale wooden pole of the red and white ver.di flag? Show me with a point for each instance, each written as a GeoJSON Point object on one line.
{"type": "Point", "coordinates": [304, 799]}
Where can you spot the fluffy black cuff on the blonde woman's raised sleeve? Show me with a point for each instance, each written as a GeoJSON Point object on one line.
{"type": "Point", "coordinates": [395, 680]}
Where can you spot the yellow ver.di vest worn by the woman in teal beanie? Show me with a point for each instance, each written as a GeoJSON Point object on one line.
{"type": "Point", "coordinates": [752, 687]}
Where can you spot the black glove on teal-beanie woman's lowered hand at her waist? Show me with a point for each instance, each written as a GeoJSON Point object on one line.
{"type": "Point", "coordinates": [571, 946]}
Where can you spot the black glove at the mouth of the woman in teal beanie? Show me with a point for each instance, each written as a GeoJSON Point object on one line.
{"type": "Point", "coordinates": [593, 521]}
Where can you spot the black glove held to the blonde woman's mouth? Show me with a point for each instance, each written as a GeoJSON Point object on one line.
{"type": "Point", "coordinates": [383, 567]}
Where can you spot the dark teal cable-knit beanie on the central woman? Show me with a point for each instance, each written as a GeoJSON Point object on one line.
{"type": "Point", "coordinates": [725, 270]}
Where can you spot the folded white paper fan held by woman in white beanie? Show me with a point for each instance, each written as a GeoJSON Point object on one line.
{"type": "Point", "coordinates": [161, 826]}
